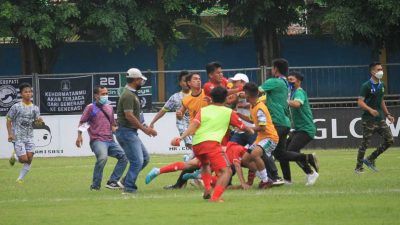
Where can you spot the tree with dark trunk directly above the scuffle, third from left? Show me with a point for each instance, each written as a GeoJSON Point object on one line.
{"type": "Point", "coordinates": [267, 19]}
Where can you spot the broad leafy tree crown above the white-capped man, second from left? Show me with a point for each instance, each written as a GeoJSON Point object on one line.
{"type": "Point", "coordinates": [126, 23]}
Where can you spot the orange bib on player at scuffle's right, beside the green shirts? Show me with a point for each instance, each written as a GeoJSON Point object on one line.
{"type": "Point", "coordinates": [261, 117]}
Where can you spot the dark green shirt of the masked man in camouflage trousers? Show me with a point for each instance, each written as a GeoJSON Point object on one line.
{"type": "Point", "coordinates": [373, 97]}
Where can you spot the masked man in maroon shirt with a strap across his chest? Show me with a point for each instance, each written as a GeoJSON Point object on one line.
{"type": "Point", "coordinates": [100, 117]}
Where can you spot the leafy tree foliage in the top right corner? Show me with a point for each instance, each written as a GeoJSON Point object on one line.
{"type": "Point", "coordinates": [372, 22]}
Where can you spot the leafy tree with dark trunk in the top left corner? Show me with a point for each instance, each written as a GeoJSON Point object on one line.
{"type": "Point", "coordinates": [40, 27]}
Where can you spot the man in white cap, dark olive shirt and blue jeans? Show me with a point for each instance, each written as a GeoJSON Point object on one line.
{"type": "Point", "coordinates": [130, 120]}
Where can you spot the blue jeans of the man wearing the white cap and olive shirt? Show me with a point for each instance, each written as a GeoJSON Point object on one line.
{"type": "Point", "coordinates": [136, 154]}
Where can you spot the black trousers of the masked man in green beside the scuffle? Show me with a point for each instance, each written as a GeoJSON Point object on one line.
{"type": "Point", "coordinates": [296, 141]}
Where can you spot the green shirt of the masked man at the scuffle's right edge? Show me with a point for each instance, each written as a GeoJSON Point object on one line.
{"type": "Point", "coordinates": [302, 117]}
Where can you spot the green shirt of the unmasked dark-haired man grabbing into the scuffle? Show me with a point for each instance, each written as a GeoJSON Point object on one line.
{"type": "Point", "coordinates": [277, 95]}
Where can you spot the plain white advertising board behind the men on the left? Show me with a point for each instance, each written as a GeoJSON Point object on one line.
{"type": "Point", "coordinates": [58, 137]}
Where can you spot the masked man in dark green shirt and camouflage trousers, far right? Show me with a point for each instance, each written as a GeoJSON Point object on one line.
{"type": "Point", "coordinates": [373, 118]}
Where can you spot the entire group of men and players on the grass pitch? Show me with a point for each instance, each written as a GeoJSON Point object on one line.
{"type": "Point", "coordinates": [228, 124]}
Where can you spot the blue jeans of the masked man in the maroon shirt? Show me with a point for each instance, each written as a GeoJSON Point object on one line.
{"type": "Point", "coordinates": [103, 149]}
